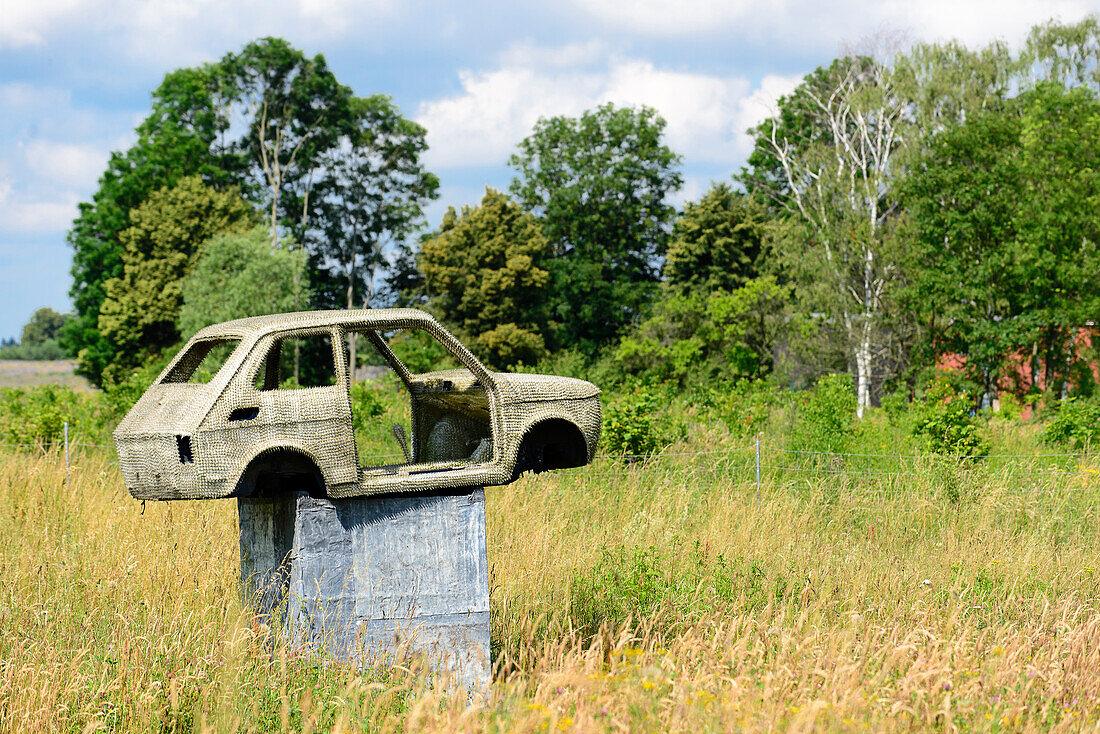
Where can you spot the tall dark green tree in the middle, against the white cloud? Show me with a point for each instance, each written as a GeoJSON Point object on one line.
{"type": "Point", "coordinates": [600, 184]}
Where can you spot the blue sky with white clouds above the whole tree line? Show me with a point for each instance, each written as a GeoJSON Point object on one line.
{"type": "Point", "coordinates": [76, 75]}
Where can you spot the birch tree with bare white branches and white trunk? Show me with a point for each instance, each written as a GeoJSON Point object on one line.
{"type": "Point", "coordinates": [837, 174]}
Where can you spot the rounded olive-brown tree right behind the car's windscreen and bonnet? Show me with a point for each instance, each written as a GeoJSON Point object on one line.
{"type": "Point", "coordinates": [485, 271]}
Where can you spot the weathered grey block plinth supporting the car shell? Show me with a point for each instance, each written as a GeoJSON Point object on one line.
{"type": "Point", "coordinates": [368, 578]}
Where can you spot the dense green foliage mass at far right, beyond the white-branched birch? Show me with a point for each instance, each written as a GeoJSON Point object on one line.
{"type": "Point", "coordinates": [1005, 243]}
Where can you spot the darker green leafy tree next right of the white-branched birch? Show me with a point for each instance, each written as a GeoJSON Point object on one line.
{"type": "Point", "coordinates": [962, 198]}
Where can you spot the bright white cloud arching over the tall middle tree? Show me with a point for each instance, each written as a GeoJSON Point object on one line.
{"type": "Point", "coordinates": [707, 115]}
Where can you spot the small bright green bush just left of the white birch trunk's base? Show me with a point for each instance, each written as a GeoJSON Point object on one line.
{"type": "Point", "coordinates": [826, 417]}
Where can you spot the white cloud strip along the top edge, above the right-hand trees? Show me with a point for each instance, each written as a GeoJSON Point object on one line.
{"type": "Point", "coordinates": [799, 23]}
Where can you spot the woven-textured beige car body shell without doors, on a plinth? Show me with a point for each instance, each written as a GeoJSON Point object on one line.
{"type": "Point", "coordinates": [243, 428]}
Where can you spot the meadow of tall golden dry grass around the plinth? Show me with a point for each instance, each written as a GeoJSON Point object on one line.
{"type": "Point", "coordinates": [881, 588]}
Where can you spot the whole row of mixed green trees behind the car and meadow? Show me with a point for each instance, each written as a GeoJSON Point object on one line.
{"type": "Point", "coordinates": [903, 205]}
